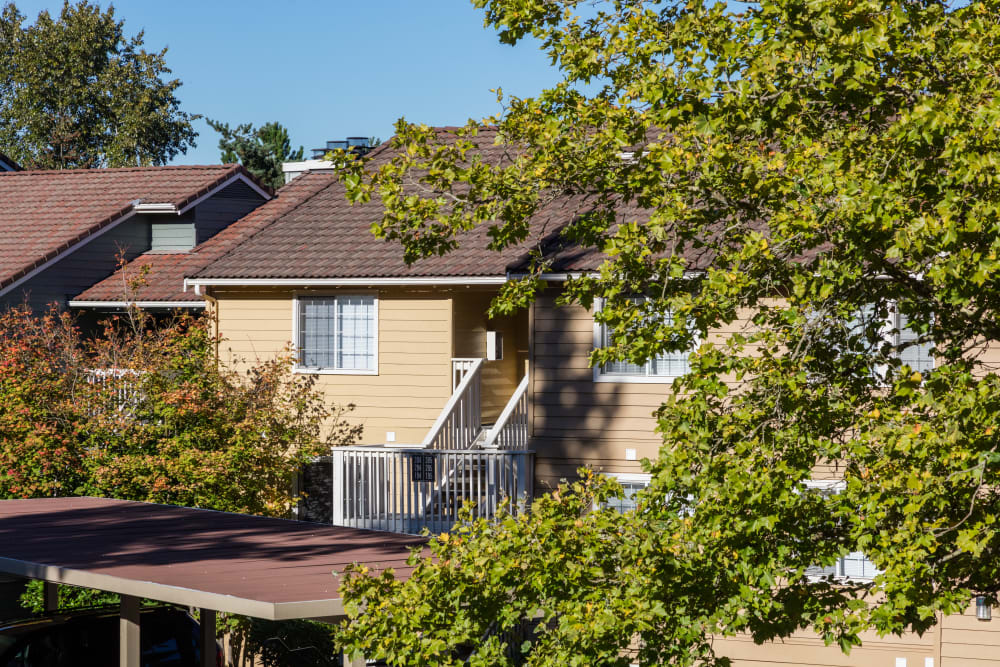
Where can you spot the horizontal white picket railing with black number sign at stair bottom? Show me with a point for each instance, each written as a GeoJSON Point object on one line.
{"type": "Point", "coordinates": [407, 490]}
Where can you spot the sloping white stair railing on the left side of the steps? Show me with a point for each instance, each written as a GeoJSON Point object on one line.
{"type": "Point", "coordinates": [460, 422]}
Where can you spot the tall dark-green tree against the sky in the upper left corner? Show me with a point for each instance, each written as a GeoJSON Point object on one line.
{"type": "Point", "coordinates": [76, 92]}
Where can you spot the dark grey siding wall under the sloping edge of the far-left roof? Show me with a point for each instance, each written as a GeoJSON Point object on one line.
{"type": "Point", "coordinates": [90, 264]}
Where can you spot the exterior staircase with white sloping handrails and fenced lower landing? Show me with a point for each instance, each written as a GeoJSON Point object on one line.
{"type": "Point", "coordinates": [409, 489]}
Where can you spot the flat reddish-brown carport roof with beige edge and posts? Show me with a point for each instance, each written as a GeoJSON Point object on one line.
{"type": "Point", "coordinates": [218, 562]}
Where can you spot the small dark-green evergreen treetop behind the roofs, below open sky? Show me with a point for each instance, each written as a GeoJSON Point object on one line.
{"type": "Point", "coordinates": [260, 150]}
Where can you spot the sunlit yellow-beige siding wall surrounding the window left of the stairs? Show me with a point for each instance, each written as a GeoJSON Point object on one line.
{"type": "Point", "coordinates": [414, 354]}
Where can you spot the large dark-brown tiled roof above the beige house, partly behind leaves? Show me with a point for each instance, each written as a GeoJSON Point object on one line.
{"type": "Point", "coordinates": [326, 237]}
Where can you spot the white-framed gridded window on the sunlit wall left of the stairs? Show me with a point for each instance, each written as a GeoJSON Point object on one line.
{"type": "Point", "coordinates": [337, 334]}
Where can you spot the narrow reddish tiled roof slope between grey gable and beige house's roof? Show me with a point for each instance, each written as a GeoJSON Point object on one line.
{"type": "Point", "coordinates": [165, 279]}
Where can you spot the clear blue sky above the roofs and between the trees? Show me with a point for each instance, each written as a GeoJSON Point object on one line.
{"type": "Point", "coordinates": [327, 69]}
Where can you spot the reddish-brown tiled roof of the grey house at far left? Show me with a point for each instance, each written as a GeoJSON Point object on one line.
{"type": "Point", "coordinates": [43, 213]}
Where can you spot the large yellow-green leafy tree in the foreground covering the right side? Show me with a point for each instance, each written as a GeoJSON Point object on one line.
{"type": "Point", "coordinates": [811, 175]}
